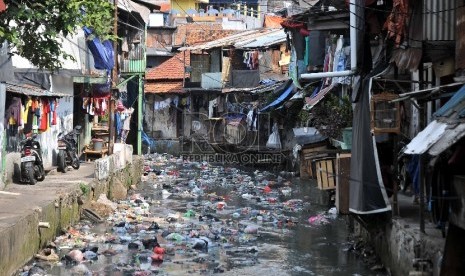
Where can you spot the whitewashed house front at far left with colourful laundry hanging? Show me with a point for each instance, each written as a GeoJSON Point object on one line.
{"type": "Point", "coordinates": [23, 84]}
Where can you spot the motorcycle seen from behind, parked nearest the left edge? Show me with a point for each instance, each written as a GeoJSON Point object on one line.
{"type": "Point", "coordinates": [32, 166]}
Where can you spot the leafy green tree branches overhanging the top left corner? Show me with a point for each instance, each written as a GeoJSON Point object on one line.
{"type": "Point", "coordinates": [35, 28]}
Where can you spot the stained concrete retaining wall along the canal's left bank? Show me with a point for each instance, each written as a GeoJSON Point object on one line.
{"type": "Point", "coordinates": [21, 236]}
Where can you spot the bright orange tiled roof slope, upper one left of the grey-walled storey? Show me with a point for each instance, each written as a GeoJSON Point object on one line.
{"type": "Point", "coordinates": [172, 69]}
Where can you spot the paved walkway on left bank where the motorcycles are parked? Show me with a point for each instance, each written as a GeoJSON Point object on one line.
{"type": "Point", "coordinates": [19, 200]}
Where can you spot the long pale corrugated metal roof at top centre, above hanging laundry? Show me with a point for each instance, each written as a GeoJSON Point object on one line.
{"type": "Point", "coordinates": [258, 38]}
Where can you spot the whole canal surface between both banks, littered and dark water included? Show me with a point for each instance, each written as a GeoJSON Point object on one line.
{"type": "Point", "coordinates": [189, 218]}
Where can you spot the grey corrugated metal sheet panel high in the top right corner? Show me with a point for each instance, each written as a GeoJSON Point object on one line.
{"type": "Point", "coordinates": [439, 20]}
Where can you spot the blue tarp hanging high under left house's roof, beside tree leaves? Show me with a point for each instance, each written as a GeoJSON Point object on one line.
{"type": "Point", "coordinates": [101, 51]}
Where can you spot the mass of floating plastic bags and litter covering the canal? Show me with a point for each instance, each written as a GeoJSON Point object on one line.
{"type": "Point", "coordinates": [186, 217]}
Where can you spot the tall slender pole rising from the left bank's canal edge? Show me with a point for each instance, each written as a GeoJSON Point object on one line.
{"type": "Point", "coordinates": [114, 81]}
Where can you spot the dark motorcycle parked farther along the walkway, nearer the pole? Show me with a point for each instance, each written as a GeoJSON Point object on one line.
{"type": "Point", "coordinates": [67, 150]}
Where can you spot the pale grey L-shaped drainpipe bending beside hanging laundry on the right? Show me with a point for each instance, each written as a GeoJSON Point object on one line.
{"type": "Point", "coordinates": [353, 50]}
